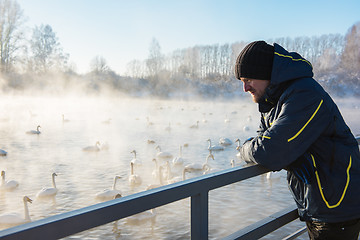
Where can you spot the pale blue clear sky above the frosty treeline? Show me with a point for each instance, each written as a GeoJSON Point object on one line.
{"type": "Point", "coordinates": [121, 30]}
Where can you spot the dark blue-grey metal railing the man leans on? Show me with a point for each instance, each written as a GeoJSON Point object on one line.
{"type": "Point", "coordinates": [197, 189]}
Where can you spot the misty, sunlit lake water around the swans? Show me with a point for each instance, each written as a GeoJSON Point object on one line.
{"type": "Point", "coordinates": [122, 125]}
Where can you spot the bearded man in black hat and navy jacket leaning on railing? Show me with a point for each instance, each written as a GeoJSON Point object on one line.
{"type": "Point", "coordinates": [302, 131]}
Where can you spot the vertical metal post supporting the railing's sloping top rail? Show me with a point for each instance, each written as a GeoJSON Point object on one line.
{"type": "Point", "coordinates": [200, 215]}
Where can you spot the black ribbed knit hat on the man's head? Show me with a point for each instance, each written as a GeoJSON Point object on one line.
{"type": "Point", "coordinates": [255, 61]}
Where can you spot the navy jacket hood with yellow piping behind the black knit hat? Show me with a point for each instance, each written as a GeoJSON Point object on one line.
{"type": "Point", "coordinates": [289, 66]}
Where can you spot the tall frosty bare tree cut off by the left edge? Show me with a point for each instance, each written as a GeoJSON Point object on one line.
{"type": "Point", "coordinates": [11, 34]}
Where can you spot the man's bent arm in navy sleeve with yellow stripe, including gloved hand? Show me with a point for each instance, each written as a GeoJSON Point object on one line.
{"type": "Point", "coordinates": [302, 119]}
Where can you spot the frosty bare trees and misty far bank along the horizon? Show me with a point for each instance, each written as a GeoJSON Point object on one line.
{"type": "Point", "coordinates": [39, 63]}
